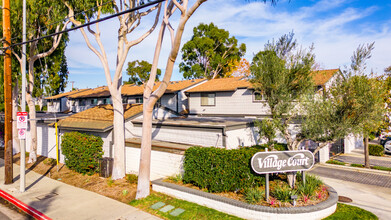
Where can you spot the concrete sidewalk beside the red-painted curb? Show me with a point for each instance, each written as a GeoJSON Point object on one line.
{"type": "Point", "coordinates": [58, 200]}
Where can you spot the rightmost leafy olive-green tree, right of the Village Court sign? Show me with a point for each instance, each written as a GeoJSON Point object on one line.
{"type": "Point", "coordinates": [353, 105]}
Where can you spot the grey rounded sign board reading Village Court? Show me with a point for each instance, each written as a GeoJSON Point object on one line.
{"type": "Point", "coordinates": [282, 161]}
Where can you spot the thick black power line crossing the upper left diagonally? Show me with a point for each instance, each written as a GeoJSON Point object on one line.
{"type": "Point", "coordinates": [89, 23]}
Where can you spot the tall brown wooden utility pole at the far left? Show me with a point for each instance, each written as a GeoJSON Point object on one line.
{"type": "Point", "coordinates": [7, 93]}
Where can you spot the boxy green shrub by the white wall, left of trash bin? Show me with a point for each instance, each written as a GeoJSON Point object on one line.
{"type": "Point", "coordinates": [82, 152]}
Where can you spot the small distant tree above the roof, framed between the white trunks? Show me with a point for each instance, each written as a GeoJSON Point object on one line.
{"type": "Point", "coordinates": [139, 72]}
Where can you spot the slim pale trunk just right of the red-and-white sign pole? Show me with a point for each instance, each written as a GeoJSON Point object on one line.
{"type": "Point", "coordinates": [33, 129]}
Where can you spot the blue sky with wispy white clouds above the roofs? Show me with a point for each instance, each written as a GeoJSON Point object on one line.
{"type": "Point", "coordinates": [335, 27]}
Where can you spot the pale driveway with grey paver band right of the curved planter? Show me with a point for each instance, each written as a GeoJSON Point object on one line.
{"type": "Point", "coordinates": [369, 189]}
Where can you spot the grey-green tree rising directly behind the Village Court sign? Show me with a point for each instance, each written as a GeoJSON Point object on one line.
{"type": "Point", "coordinates": [283, 76]}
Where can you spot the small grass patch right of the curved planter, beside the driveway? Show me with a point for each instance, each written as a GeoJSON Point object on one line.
{"type": "Point", "coordinates": [348, 212]}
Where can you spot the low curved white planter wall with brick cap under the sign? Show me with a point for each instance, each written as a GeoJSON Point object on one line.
{"type": "Point", "coordinates": [248, 211]}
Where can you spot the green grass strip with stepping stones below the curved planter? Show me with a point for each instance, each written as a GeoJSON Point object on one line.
{"type": "Point", "coordinates": [193, 211]}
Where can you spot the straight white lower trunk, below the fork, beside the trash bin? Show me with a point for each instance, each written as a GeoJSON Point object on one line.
{"type": "Point", "coordinates": [119, 134]}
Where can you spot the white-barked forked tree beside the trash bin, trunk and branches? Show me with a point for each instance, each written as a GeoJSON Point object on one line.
{"type": "Point", "coordinates": [128, 22]}
